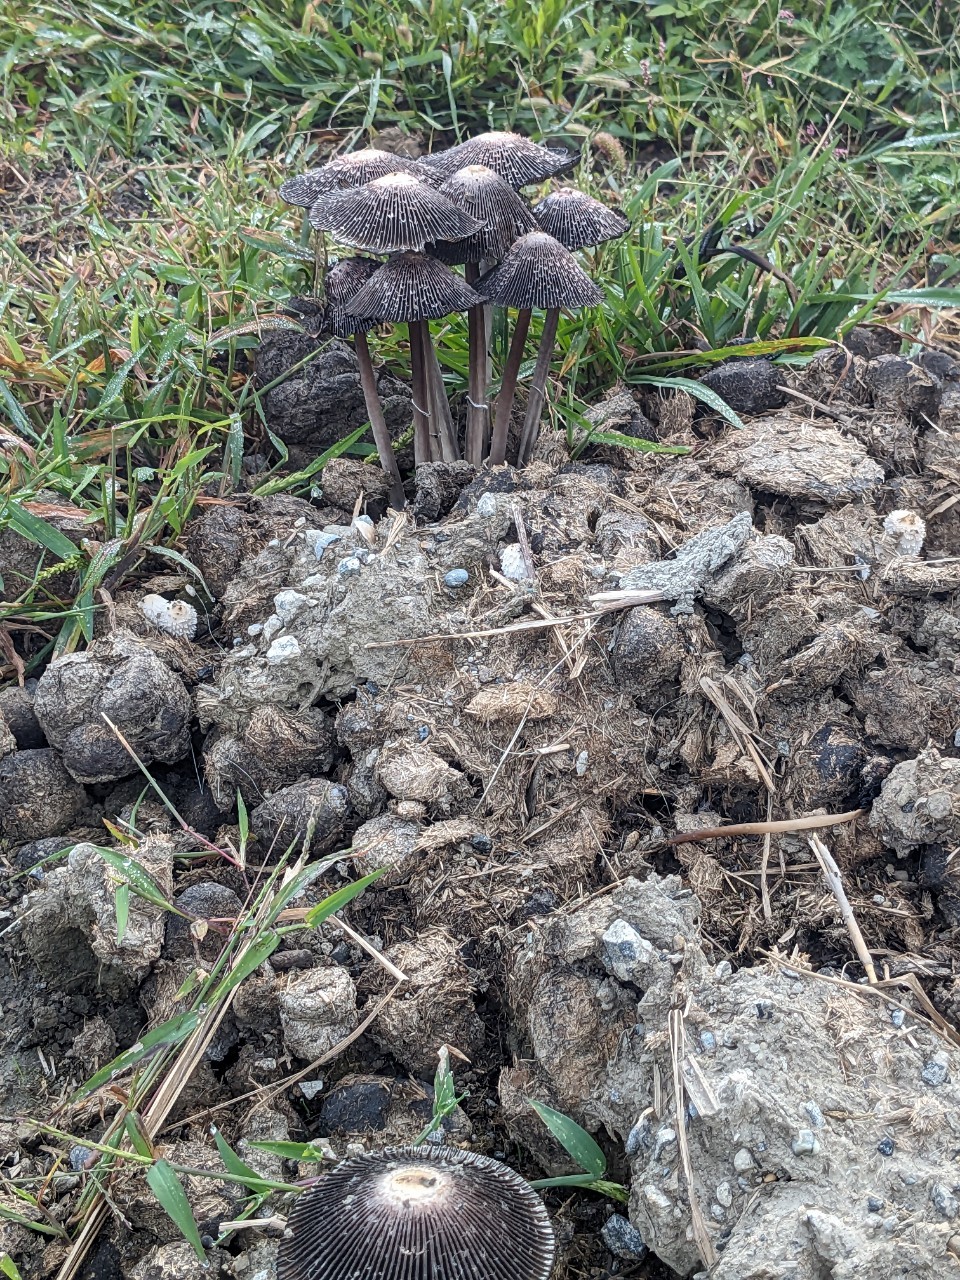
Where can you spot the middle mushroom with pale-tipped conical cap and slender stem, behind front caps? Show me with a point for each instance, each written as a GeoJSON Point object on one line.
{"type": "Point", "coordinates": [486, 196]}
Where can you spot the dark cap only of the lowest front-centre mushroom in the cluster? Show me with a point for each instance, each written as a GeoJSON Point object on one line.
{"type": "Point", "coordinates": [413, 287]}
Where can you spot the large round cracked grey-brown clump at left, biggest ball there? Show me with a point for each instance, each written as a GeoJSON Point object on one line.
{"type": "Point", "coordinates": [122, 679]}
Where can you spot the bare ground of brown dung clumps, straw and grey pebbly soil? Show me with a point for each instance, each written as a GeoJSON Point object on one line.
{"type": "Point", "coordinates": [532, 702]}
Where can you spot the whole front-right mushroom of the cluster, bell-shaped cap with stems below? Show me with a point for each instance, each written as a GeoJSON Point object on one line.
{"type": "Point", "coordinates": [538, 272]}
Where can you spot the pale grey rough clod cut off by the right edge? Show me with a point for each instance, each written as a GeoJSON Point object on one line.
{"type": "Point", "coordinates": [920, 803]}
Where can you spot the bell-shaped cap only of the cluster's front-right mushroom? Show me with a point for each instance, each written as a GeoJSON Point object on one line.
{"type": "Point", "coordinates": [540, 272]}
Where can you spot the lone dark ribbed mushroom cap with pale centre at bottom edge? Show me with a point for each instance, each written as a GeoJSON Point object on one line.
{"type": "Point", "coordinates": [419, 1214]}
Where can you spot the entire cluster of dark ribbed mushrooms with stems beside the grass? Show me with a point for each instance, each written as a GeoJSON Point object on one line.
{"type": "Point", "coordinates": [458, 208]}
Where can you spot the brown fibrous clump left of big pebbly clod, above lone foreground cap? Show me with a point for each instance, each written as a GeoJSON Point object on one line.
{"type": "Point", "coordinates": [436, 1007]}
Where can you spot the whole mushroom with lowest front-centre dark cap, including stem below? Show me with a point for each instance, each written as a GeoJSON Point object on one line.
{"type": "Point", "coordinates": [415, 289]}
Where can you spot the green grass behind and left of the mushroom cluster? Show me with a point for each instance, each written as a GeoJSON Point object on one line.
{"type": "Point", "coordinates": [144, 246]}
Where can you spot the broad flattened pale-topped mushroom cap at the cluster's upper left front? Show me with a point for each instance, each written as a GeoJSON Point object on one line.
{"type": "Point", "coordinates": [391, 214]}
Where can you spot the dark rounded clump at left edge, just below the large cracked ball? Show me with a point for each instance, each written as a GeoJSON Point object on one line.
{"type": "Point", "coordinates": [38, 797]}
